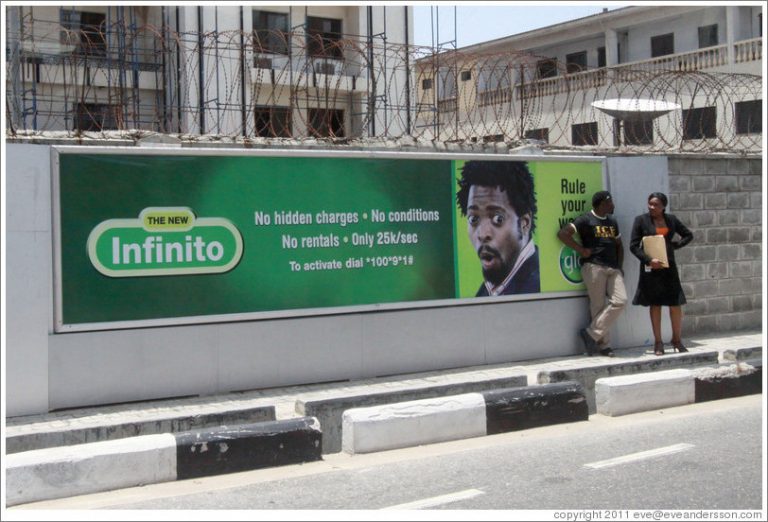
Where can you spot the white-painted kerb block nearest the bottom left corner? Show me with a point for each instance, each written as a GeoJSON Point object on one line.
{"type": "Point", "coordinates": [89, 468]}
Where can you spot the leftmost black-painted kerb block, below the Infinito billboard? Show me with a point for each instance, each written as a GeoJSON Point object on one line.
{"type": "Point", "coordinates": [245, 447]}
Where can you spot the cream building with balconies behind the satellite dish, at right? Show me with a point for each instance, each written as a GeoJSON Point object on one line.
{"type": "Point", "coordinates": [541, 84]}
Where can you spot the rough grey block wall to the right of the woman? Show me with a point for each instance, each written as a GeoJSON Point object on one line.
{"type": "Point", "coordinates": [721, 201]}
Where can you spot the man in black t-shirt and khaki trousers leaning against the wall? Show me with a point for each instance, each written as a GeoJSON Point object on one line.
{"type": "Point", "coordinates": [601, 260]}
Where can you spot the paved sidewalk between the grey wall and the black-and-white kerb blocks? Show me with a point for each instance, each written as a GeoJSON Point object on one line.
{"type": "Point", "coordinates": [152, 417]}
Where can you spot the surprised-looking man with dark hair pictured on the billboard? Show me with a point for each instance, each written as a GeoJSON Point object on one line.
{"type": "Point", "coordinates": [498, 200]}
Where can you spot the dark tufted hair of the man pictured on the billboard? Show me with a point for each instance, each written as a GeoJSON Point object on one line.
{"type": "Point", "coordinates": [512, 177]}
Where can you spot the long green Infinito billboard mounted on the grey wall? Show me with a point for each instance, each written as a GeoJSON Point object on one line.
{"type": "Point", "coordinates": [205, 236]}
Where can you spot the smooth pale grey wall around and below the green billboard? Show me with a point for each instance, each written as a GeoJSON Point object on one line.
{"type": "Point", "coordinates": [47, 371]}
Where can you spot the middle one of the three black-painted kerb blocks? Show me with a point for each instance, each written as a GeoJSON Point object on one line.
{"type": "Point", "coordinates": [534, 406]}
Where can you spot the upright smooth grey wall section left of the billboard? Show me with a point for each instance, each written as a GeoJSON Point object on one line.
{"type": "Point", "coordinates": [29, 285]}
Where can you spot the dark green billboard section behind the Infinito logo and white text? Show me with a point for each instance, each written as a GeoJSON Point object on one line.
{"type": "Point", "coordinates": [94, 188]}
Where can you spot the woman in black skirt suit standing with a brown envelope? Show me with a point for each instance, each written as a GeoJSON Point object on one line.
{"type": "Point", "coordinates": [659, 286]}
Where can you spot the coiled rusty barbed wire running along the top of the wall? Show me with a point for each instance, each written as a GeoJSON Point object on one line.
{"type": "Point", "coordinates": [298, 85]}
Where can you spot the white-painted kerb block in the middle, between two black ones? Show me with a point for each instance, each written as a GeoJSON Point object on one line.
{"type": "Point", "coordinates": [413, 423]}
